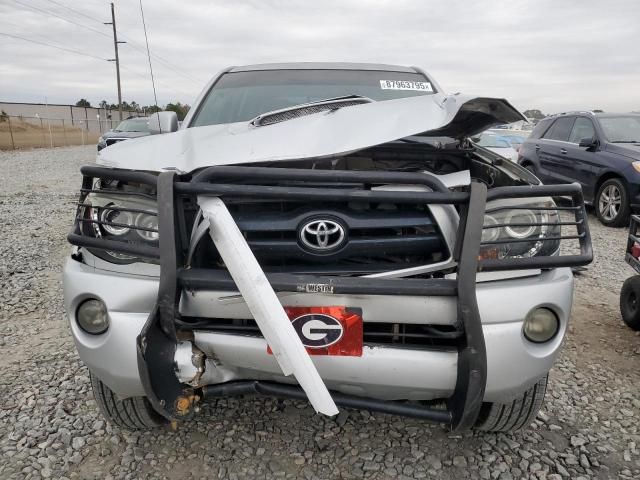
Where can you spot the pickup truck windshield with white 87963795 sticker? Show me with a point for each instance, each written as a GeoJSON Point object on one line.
{"type": "Point", "coordinates": [242, 96]}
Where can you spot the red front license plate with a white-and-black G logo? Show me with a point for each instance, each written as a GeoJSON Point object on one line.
{"type": "Point", "coordinates": [335, 331]}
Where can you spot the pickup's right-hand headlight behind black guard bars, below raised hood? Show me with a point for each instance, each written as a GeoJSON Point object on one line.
{"type": "Point", "coordinates": [520, 228]}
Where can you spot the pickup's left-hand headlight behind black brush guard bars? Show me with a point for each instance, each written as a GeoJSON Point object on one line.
{"type": "Point", "coordinates": [131, 219]}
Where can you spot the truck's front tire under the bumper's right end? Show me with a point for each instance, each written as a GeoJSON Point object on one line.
{"type": "Point", "coordinates": [512, 416]}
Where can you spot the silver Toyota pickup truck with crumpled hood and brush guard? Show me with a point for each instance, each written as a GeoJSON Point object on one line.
{"type": "Point", "coordinates": [324, 232]}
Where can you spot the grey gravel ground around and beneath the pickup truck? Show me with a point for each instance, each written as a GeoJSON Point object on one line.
{"type": "Point", "coordinates": [49, 426]}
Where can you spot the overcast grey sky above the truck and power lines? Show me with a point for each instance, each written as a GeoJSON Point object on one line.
{"type": "Point", "coordinates": [552, 55]}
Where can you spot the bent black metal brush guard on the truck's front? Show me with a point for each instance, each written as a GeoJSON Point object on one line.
{"type": "Point", "coordinates": [156, 343]}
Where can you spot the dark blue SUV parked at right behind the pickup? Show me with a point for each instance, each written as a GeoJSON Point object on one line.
{"type": "Point", "coordinates": [601, 151]}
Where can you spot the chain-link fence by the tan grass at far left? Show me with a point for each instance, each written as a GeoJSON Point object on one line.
{"type": "Point", "coordinates": [41, 132]}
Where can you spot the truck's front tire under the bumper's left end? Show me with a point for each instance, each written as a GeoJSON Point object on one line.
{"type": "Point", "coordinates": [134, 413]}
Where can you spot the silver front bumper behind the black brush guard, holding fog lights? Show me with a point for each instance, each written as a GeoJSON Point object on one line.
{"type": "Point", "coordinates": [513, 363]}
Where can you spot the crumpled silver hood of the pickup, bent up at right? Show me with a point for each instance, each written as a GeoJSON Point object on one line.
{"type": "Point", "coordinates": [320, 135]}
